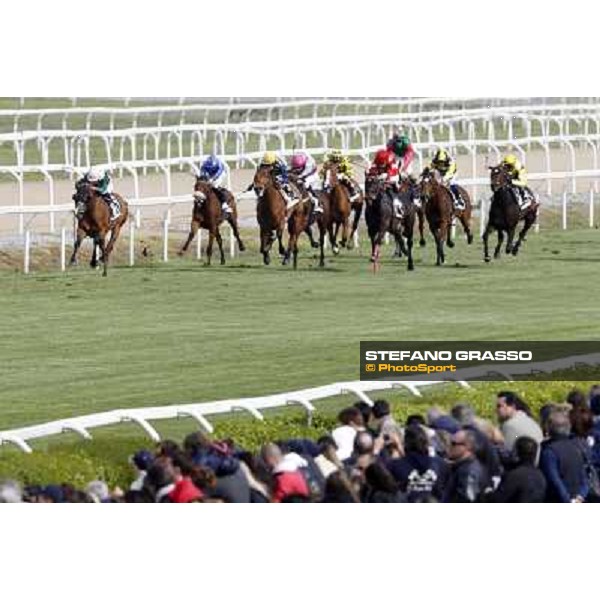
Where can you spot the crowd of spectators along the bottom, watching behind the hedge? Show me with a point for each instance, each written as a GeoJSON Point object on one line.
{"type": "Point", "coordinates": [443, 457]}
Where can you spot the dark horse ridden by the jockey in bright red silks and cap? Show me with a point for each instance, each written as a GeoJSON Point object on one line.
{"type": "Point", "coordinates": [381, 217]}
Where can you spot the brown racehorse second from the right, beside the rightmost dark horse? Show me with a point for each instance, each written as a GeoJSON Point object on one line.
{"type": "Point", "coordinates": [439, 210]}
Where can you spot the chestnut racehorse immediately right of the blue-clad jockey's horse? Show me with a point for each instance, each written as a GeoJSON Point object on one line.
{"type": "Point", "coordinates": [271, 212]}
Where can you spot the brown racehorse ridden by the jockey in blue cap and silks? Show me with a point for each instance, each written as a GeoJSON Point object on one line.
{"type": "Point", "coordinates": [207, 214]}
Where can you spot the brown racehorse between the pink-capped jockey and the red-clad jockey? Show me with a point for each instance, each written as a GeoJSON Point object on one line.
{"type": "Point", "coordinates": [337, 207]}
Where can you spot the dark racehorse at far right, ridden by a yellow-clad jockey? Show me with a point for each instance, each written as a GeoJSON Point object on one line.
{"type": "Point", "coordinates": [506, 214]}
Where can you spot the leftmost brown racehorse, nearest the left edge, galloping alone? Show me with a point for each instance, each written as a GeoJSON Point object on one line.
{"type": "Point", "coordinates": [94, 221]}
